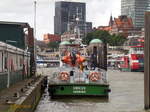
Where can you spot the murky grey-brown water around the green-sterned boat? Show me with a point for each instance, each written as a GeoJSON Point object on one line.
{"type": "Point", "coordinates": [127, 95]}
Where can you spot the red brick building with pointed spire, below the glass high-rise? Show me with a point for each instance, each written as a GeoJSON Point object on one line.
{"type": "Point", "coordinates": [122, 25]}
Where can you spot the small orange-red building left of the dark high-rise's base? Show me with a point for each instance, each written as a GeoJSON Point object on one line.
{"type": "Point", "coordinates": [51, 38]}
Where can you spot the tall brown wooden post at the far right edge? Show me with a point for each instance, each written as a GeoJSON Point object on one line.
{"type": "Point", "coordinates": [147, 62]}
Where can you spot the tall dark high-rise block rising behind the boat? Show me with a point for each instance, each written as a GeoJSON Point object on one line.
{"type": "Point", "coordinates": [66, 15]}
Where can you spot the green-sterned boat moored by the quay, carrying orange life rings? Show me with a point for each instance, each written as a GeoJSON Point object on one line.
{"type": "Point", "coordinates": [80, 75]}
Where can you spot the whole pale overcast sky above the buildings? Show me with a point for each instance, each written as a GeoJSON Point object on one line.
{"type": "Point", "coordinates": [98, 12]}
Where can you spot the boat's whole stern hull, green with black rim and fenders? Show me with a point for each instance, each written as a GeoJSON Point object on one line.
{"type": "Point", "coordinates": [79, 90]}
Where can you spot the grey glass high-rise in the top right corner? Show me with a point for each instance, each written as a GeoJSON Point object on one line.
{"type": "Point", "coordinates": [135, 9]}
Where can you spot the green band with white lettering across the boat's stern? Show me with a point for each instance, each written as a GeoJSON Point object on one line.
{"type": "Point", "coordinates": [79, 89]}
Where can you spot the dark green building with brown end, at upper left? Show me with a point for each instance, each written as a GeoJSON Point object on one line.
{"type": "Point", "coordinates": [18, 32]}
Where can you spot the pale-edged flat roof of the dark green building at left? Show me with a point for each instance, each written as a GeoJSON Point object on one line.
{"type": "Point", "coordinates": [23, 24]}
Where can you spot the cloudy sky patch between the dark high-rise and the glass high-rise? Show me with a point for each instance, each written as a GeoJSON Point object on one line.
{"type": "Point", "coordinates": [101, 11]}
